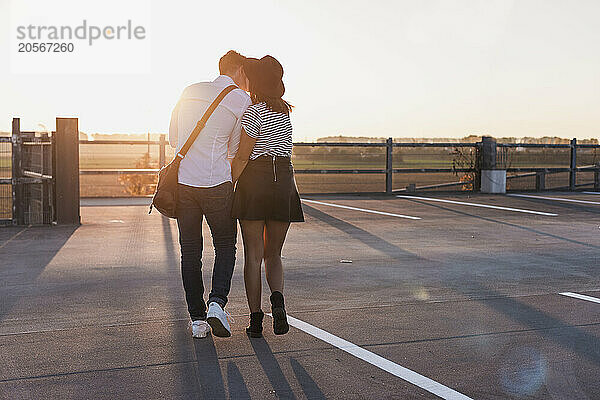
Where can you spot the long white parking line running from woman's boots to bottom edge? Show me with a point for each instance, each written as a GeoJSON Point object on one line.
{"type": "Point", "coordinates": [401, 372]}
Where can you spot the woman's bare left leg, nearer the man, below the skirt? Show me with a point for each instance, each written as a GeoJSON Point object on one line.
{"type": "Point", "coordinates": [252, 233]}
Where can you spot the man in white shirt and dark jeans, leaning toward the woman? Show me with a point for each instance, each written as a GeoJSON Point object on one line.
{"type": "Point", "coordinates": [205, 189]}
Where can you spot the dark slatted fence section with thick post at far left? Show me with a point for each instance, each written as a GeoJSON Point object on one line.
{"type": "Point", "coordinates": [39, 175]}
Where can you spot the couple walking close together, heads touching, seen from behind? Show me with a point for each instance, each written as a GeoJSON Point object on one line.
{"type": "Point", "coordinates": [248, 140]}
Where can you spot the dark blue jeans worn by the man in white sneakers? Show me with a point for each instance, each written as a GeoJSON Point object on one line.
{"type": "Point", "coordinates": [192, 205]}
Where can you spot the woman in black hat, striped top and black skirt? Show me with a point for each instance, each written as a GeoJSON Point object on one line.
{"type": "Point", "coordinates": [266, 199]}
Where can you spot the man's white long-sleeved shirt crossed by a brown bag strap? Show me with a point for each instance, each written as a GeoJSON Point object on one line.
{"type": "Point", "coordinates": [206, 164]}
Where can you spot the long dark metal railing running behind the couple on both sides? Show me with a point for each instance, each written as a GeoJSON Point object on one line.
{"type": "Point", "coordinates": [497, 160]}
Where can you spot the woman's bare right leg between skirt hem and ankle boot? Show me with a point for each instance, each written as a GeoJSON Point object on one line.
{"type": "Point", "coordinates": [275, 233]}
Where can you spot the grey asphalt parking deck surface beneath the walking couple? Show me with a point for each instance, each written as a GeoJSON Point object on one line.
{"type": "Point", "coordinates": [468, 297]}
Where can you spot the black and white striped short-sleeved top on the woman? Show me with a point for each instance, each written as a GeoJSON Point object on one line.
{"type": "Point", "coordinates": [272, 131]}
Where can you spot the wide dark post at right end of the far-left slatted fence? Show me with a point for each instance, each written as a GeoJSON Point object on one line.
{"type": "Point", "coordinates": [66, 173]}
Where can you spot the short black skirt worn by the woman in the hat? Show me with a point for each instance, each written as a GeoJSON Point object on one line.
{"type": "Point", "coordinates": [267, 190]}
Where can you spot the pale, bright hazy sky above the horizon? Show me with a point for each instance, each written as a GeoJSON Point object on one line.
{"type": "Point", "coordinates": [420, 68]}
